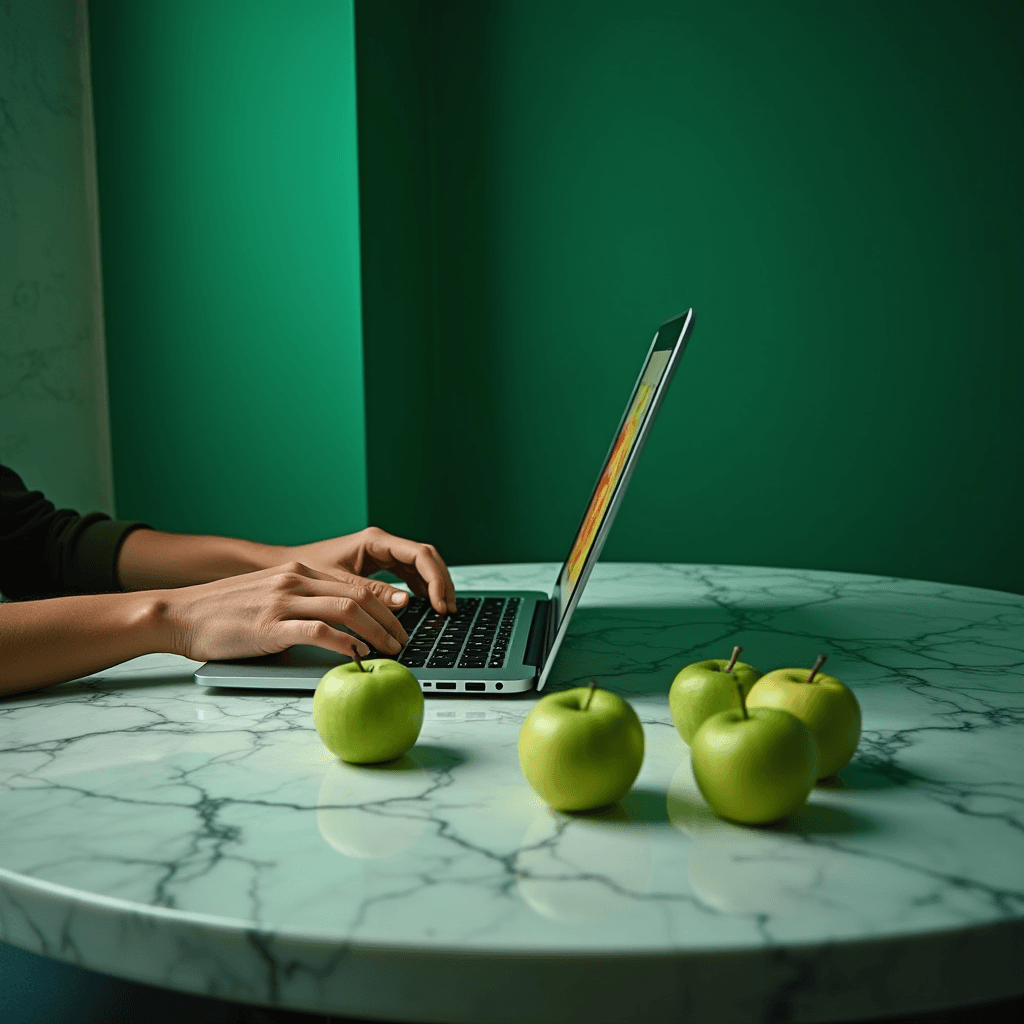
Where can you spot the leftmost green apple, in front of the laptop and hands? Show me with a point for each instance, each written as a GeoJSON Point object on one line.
{"type": "Point", "coordinates": [369, 712]}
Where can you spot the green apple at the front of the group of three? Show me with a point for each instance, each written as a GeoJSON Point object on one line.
{"type": "Point", "coordinates": [755, 765]}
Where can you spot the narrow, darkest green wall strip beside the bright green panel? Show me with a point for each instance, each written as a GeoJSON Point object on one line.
{"type": "Point", "coordinates": [407, 415]}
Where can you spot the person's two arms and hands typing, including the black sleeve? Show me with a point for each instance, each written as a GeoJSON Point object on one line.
{"type": "Point", "coordinates": [204, 598]}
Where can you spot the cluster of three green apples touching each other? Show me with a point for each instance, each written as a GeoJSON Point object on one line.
{"type": "Point", "coordinates": [759, 744]}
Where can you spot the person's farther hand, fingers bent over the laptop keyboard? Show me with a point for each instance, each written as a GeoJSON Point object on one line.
{"type": "Point", "coordinates": [372, 550]}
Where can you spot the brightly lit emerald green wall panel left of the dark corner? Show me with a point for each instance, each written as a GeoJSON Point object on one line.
{"type": "Point", "coordinates": [230, 225]}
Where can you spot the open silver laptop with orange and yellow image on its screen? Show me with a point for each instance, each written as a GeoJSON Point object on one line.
{"type": "Point", "coordinates": [498, 642]}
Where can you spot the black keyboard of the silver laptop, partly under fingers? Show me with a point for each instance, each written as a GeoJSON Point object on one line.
{"type": "Point", "coordinates": [475, 637]}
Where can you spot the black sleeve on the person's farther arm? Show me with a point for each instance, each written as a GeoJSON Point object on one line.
{"type": "Point", "coordinates": [51, 552]}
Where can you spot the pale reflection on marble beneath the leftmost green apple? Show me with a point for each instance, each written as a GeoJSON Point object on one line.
{"type": "Point", "coordinates": [372, 813]}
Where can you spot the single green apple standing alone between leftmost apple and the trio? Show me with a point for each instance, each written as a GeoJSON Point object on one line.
{"type": "Point", "coordinates": [581, 749]}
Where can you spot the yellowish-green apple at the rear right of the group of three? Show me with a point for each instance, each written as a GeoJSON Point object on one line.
{"type": "Point", "coordinates": [825, 705]}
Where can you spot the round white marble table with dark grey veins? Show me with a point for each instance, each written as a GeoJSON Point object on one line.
{"type": "Point", "coordinates": [205, 841]}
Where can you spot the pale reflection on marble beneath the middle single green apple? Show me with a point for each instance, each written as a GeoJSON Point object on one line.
{"type": "Point", "coordinates": [583, 867]}
